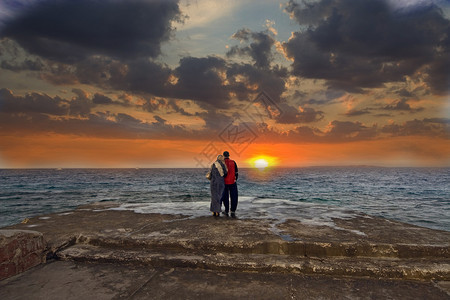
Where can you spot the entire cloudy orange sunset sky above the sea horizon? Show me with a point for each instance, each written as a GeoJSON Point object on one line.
{"type": "Point", "coordinates": [144, 83]}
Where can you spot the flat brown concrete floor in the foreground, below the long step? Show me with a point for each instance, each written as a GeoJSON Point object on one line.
{"type": "Point", "coordinates": [74, 280]}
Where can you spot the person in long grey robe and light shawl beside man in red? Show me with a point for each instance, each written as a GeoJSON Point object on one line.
{"type": "Point", "coordinates": [218, 172]}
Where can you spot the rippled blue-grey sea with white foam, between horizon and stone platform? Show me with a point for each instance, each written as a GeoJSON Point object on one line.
{"type": "Point", "coordinates": [419, 196]}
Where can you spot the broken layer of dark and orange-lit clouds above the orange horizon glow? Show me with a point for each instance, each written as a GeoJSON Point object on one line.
{"type": "Point", "coordinates": [353, 70]}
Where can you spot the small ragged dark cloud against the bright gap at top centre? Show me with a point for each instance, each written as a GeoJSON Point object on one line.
{"type": "Point", "coordinates": [260, 50]}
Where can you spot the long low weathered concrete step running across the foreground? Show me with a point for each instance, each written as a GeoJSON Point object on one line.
{"type": "Point", "coordinates": [434, 269]}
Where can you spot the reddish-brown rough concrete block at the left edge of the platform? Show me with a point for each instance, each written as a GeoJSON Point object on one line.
{"type": "Point", "coordinates": [20, 250]}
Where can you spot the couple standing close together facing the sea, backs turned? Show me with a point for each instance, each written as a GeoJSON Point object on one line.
{"type": "Point", "coordinates": [223, 176]}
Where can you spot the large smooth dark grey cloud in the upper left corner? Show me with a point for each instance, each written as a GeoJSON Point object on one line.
{"type": "Point", "coordinates": [69, 31]}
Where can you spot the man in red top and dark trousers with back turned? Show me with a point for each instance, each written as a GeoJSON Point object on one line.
{"type": "Point", "coordinates": [230, 186]}
